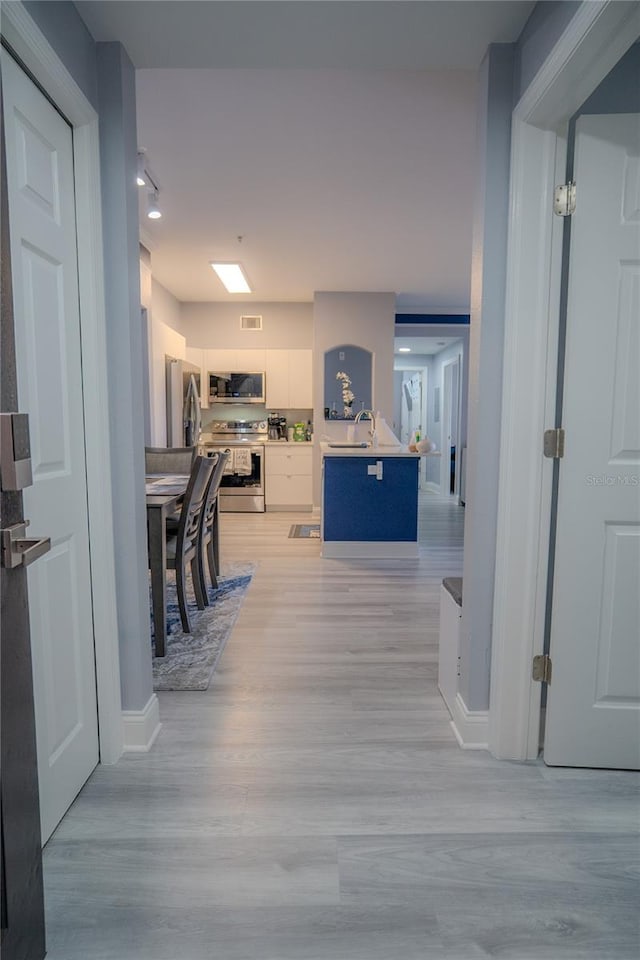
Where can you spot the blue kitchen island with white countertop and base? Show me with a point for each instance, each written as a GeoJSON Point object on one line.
{"type": "Point", "coordinates": [369, 502]}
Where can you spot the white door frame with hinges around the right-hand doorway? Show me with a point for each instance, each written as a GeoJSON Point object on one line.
{"type": "Point", "coordinates": [594, 41]}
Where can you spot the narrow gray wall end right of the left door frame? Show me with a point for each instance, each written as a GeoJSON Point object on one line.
{"type": "Point", "coordinates": [118, 150]}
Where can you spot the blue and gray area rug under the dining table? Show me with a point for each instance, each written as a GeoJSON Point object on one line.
{"type": "Point", "coordinates": [191, 658]}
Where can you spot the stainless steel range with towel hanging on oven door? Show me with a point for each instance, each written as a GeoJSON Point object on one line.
{"type": "Point", "coordinates": [242, 486]}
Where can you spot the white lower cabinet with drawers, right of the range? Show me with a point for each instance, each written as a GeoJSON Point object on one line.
{"type": "Point", "coordinates": [288, 477]}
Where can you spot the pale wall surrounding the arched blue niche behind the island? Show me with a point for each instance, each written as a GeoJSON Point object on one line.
{"type": "Point", "coordinates": [364, 320]}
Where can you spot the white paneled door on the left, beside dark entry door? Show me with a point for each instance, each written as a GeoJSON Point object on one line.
{"type": "Point", "coordinates": [47, 322]}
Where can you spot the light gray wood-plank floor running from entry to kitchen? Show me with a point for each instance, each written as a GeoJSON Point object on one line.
{"type": "Point", "coordinates": [313, 803]}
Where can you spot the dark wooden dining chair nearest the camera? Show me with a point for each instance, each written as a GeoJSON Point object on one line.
{"type": "Point", "coordinates": [184, 547]}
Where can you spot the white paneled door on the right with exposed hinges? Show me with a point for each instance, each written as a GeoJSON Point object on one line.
{"type": "Point", "coordinates": [593, 707]}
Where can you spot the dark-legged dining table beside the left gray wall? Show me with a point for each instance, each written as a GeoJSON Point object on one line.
{"type": "Point", "coordinates": [164, 493]}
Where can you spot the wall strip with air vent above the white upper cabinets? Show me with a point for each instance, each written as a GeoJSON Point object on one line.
{"type": "Point", "coordinates": [285, 326]}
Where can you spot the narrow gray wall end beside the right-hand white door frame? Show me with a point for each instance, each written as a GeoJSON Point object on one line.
{"type": "Point", "coordinates": [486, 336]}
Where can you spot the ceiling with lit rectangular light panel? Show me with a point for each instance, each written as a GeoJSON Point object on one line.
{"type": "Point", "coordinates": [336, 139]}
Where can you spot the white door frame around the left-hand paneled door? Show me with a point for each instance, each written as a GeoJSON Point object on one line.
{"type": "Point", "coordinates": [38, 56]}
